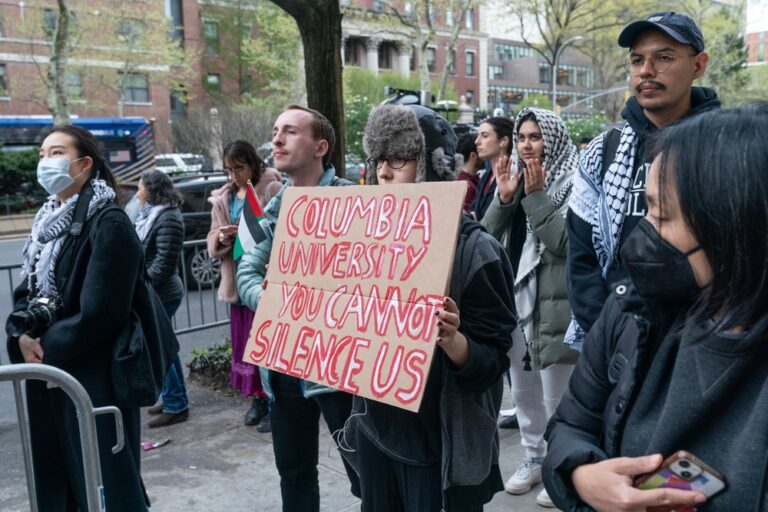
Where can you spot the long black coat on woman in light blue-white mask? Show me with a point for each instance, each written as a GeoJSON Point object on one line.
{"type": "Point", "coordinates": [97, 296]}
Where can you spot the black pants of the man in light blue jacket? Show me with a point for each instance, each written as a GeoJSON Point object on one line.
{"type": "Point", "coordinates": [295, 432]}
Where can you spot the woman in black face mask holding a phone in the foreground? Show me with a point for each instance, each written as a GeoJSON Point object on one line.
{"type": "Point", "coordinates": [678, 359]}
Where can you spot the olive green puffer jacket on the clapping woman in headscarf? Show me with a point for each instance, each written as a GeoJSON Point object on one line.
{"type": "Point", "coordinates": [553, 312]}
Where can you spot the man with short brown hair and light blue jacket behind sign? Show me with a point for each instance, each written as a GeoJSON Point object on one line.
{"type": "Point", "coordinates": [302, 142]}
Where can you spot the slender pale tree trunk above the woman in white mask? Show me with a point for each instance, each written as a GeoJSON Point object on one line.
{"type": "Point", "coordinates": [58, 102]}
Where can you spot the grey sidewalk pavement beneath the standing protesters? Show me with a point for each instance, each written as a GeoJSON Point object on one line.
{"type": "Point", "coordinates": [216, 464]}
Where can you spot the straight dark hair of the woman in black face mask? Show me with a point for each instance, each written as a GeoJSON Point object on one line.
{"type": "Point", "coordinates": [717, 162]}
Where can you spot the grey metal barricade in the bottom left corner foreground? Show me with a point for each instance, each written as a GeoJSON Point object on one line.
{"type": "Point", "coordinates": [86, 420]}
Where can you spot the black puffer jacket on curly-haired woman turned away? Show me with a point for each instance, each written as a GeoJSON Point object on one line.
{"type": "Point", "coordinates": [162, 251]}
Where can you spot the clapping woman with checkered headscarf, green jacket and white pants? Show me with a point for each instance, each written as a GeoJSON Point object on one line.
{"type": "Point", "coordinates": [528, 216]}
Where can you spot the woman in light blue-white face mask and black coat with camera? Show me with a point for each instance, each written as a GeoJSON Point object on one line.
{"type": "Point", "coordinates": [86, 281]}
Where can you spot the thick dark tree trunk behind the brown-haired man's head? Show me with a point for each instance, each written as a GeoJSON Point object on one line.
{"type": "Point", "coordinates": [319, 23]}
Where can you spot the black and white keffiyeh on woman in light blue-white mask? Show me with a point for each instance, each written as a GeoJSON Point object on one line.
{"type": "Point", "coordinates": [49, 229]}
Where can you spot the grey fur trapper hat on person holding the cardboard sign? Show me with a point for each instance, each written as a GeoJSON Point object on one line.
{"type": "Point", "coordinates": [411, 131]}
